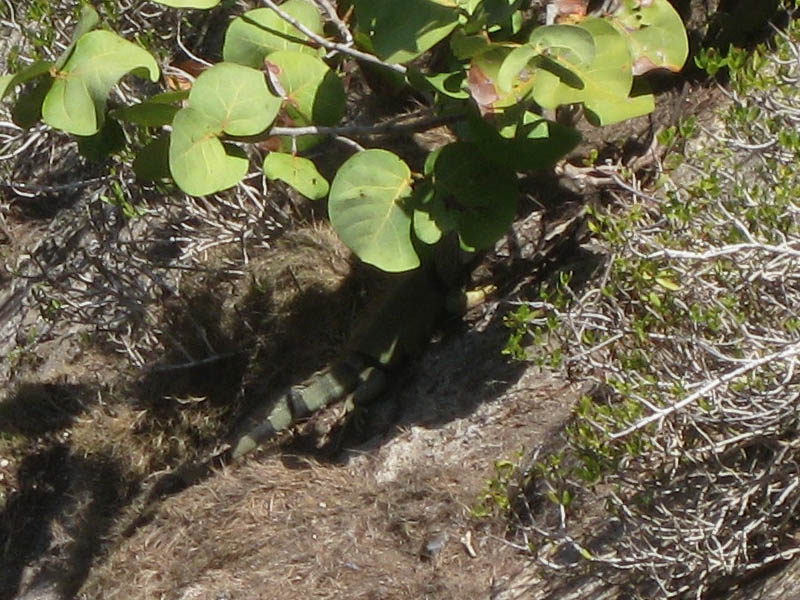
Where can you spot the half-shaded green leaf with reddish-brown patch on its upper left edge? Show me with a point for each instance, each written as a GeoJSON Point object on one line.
{"type": "Point", "coordinates": [313, 93]}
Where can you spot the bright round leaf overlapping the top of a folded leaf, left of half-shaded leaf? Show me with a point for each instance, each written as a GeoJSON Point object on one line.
{"type": "Point", "coordinates": [236, 98]}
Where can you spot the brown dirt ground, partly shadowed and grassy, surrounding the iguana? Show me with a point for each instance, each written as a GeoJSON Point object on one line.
{"type": "Point", "coordinates": [117, 378]}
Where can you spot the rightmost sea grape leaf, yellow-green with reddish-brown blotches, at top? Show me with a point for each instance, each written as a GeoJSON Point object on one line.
{"type": "Point", "coordinates": [655, 34]}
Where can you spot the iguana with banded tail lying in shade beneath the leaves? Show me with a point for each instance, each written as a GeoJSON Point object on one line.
{"type": "Point", "coordinates": [396, 332]}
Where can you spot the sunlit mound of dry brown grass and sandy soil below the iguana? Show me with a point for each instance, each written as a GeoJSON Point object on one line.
{"type": "Point", "coordinates": [263, 530]}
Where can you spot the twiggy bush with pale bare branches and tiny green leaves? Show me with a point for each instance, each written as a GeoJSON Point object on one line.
{"type": "Point", "coordinates": [689, 338]}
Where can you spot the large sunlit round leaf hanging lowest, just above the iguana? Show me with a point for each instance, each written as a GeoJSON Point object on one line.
{"type": "Point", "coordinates": [366, 209]}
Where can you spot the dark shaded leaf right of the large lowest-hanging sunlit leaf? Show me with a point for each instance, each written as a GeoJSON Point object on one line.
{"type": "Point", "coordinates": [482, 201]}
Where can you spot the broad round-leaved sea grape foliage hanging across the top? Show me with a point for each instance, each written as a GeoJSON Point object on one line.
{"type": "Point", "coordinates": [281, 82]}
